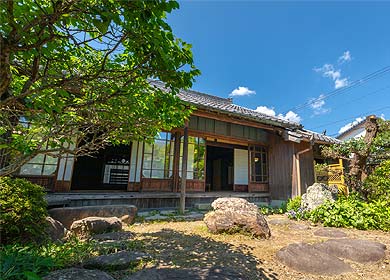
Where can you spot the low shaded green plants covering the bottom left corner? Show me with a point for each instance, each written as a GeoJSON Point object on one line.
{"type": "Point", "coordinates": [22, 262]}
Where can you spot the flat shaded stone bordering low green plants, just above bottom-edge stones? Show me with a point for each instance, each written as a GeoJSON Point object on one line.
{"type": "Point", "coordinates": [116, 261]}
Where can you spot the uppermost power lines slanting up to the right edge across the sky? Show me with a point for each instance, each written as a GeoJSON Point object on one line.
{"type": "Point", "coordinates": [359, 82]}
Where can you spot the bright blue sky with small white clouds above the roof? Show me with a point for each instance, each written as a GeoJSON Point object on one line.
{"type": "Point", "coordinates": [291, 56]}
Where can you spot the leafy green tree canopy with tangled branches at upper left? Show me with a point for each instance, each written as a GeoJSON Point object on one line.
{"type": "Point", "coordinates": [76, 74]}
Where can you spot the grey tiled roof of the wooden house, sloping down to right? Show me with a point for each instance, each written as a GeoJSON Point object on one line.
{"type": "Point", "coordinates": [226, 106]}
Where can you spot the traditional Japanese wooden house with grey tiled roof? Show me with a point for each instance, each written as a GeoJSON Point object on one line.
{"type": "Point", "coordinates": [228, 148]}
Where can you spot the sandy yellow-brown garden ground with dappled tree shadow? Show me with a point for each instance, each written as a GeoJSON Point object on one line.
{"type": "Point", "coordinates": [189, 244]}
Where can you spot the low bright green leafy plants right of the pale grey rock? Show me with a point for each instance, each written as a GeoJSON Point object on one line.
{"type": "Point", "coordinates": [353, 212]}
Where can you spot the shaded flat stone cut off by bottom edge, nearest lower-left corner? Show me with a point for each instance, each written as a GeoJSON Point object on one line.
{"type": "Point", "coordinates": [78, 274]}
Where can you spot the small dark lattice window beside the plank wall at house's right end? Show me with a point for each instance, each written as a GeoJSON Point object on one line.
{"type": "Point", "coordinates": [259, 164]}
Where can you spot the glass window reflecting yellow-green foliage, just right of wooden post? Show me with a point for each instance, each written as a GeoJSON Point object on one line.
{"type": "Point", "coordinates": [195, 159]}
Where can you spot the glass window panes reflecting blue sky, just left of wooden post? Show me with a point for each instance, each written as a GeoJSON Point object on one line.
{"type": "Point", "coordinates": [158, 157]}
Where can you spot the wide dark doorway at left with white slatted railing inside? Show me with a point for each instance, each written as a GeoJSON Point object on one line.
{"type": "Point", "coordinates": [108, 169]}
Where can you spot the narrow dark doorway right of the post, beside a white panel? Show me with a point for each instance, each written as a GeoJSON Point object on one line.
{"type": "Point", "coordinates": [219, 169]}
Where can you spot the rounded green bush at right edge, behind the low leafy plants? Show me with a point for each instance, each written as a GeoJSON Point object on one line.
{"type": "Point", "coordinates": [377, 185]}
